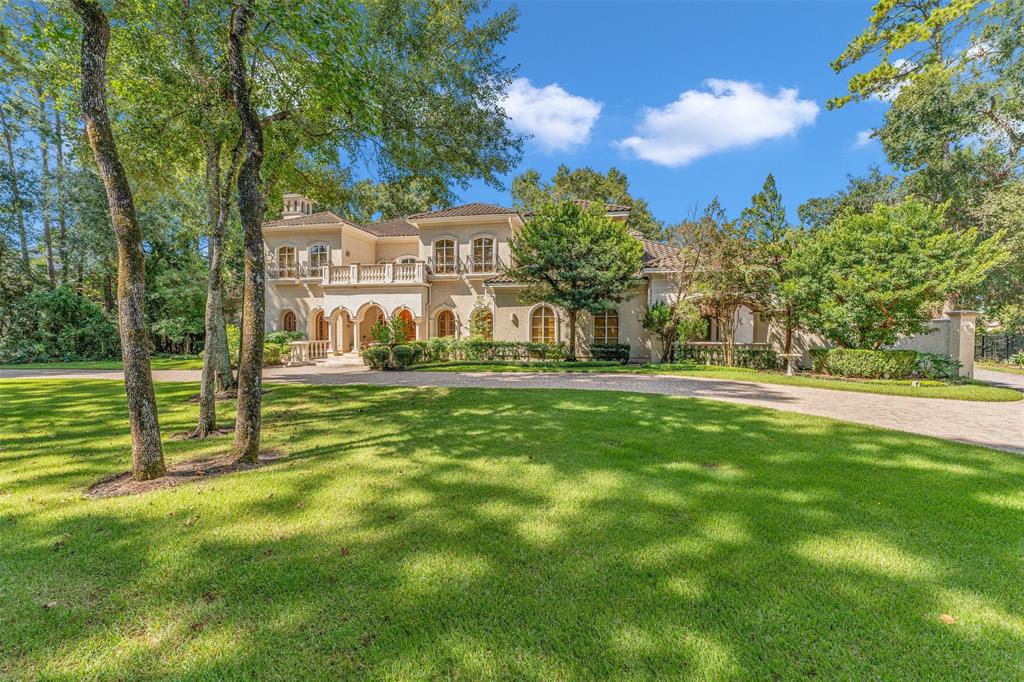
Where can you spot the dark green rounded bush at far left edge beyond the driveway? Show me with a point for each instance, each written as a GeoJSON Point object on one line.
{"type": "Point", "coordinates": [57, 325]}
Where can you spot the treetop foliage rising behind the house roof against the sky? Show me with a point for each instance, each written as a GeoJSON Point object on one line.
{"type": "Point", "coordinates": [530, 193]}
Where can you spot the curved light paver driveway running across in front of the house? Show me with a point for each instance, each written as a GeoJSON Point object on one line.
{"type": "Point", "coordinates": [998, 425]}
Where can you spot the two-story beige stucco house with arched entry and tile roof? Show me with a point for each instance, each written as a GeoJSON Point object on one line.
{"type": "Point", "coordinates": [443, 272]}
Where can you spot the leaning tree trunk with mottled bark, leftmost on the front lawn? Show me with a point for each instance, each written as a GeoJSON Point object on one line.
{"type": "Point", "coordinates": [148, 456]}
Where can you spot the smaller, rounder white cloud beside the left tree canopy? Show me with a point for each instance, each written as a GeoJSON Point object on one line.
{"type": "Point", "coordinates": [557, 119]}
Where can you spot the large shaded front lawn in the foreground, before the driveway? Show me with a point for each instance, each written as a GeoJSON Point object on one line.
{"type": "Point", "coordinates": [476, 534]}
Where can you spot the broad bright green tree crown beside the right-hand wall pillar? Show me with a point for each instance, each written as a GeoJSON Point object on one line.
{"type": "Point", "coordinates": [867, 281]}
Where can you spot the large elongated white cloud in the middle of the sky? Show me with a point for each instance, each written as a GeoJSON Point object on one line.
{"type": "Point", "coordinates": [733, 114]}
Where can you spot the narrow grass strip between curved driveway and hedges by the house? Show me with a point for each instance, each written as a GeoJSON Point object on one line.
{"type": "Point", "coordinates": [968, 391]}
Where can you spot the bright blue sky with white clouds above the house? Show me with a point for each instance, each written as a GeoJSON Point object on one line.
{"type": "Point", "coordinates": [756, 78]}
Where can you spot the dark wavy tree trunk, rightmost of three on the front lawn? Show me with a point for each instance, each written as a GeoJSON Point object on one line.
{"type": "Point", "coordinates": [252, 205]}
